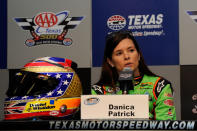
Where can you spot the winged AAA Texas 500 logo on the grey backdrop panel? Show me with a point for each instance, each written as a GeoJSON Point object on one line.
{"type": "Point", "coordinates": [49, 28]}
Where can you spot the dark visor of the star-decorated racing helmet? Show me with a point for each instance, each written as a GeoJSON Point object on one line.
{"type": "Point", "coordinates": [25, 83]}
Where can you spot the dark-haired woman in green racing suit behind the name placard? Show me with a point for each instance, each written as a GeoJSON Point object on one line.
{"type": "Point", "coordinates": [123, 51]}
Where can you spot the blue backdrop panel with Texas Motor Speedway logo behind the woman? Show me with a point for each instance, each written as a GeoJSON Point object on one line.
{"type": "Point", "coordinates": [153, 23]}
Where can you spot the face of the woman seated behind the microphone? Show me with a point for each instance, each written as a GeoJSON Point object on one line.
{"type": "Point", "coordinates": [125, 55]}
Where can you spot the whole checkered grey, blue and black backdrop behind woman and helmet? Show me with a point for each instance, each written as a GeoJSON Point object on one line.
{"type": "Point", "coordinates": [165, 32]}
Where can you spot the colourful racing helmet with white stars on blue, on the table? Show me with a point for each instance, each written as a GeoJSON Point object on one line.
{"type": "Point", "coordinates": [44, 88]}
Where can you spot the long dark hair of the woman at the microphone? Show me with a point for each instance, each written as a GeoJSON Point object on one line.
{"type": "Point", "coordinates": [109, 75]}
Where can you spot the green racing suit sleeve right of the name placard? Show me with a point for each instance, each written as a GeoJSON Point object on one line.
{"type": "Point", "coordinates": [164, 105]}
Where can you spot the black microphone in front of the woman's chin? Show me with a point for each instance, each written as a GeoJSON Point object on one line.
{"type": "Point", "coordinates": [126, 80]}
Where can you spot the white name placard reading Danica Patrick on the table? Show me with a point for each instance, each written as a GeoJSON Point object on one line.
{"type": "Point", "coordinates": [114, 107]}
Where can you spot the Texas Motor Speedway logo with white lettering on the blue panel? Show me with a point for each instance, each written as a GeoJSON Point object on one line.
{"type": "Point", "coordinates": [141, 25]}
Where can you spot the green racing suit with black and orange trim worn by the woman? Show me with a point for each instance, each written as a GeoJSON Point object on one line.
{"type": "Point", "coordinates": [161, 106]}
